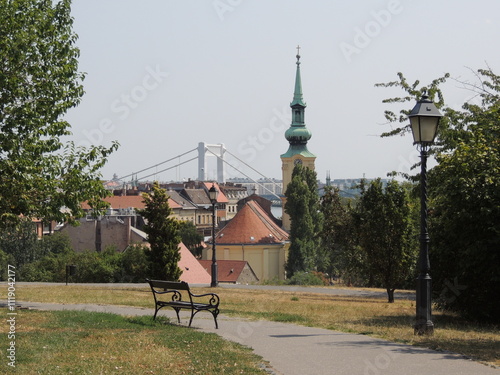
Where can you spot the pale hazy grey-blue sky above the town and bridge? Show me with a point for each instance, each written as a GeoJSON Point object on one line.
{"type": "Point", "coordinates": [164, 75]}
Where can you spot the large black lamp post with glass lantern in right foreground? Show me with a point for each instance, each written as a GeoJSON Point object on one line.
{"type": "Point", "coordinates": [424, 120]}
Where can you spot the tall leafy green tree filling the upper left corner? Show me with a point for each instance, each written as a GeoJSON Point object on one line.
{"type": "Point", "coordinates": [39, 83]}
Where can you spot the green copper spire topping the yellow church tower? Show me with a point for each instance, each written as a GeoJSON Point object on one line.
{"type": "Point", "coordinates": [297, 134]}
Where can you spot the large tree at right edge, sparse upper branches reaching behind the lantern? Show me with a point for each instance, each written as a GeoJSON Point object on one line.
{"type": "Point", "coordinates": [464, 188]}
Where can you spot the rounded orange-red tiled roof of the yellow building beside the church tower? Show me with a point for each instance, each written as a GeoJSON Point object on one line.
{"type": "Point", "coordinates": [251, 225]}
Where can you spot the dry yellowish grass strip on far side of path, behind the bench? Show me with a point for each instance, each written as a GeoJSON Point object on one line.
{"type": "Point", "coordinates": [371, 316]}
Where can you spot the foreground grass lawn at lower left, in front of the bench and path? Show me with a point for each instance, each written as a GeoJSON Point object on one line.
{"type": "Point", "coordinates": [79, 342]}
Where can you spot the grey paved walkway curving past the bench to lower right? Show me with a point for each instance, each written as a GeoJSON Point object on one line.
{"type": "Point", "coordinates": [297, 350]}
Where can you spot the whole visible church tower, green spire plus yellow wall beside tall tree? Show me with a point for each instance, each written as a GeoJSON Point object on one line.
{"type": "Point", "coordinates": [297, 135]}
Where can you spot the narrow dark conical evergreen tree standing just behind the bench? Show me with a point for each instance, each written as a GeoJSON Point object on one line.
{"type": "Point", "coordinates": [163, 235]}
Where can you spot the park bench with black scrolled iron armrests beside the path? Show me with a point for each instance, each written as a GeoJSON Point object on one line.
{"type": "Point", "coordinates": [172, 290]}
